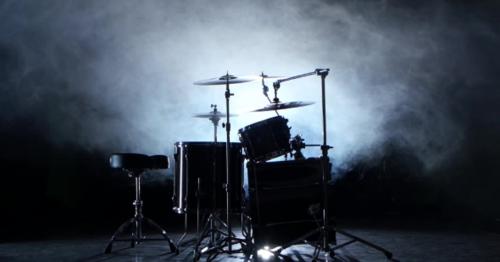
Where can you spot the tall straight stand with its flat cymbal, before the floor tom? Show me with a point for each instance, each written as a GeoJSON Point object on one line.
{"type": "Point", "coordinates": [229, 238]}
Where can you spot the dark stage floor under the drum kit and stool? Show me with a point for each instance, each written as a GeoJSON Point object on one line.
{"type": "Point", "coordinates": [417, 244]}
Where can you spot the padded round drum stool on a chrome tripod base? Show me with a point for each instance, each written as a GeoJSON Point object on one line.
{"type": "Point", "coordinates": [134, 165]}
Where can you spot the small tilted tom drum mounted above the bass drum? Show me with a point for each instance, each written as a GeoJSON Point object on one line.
{"type": "Point", "coordinates": [266, 139]}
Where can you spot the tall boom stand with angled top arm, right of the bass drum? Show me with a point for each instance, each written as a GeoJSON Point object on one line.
{"type": "Point", "coordinates": [326, 232]}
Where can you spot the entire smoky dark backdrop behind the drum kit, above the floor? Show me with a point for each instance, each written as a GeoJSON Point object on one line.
{"type": "Point", "coordinates": [413, 101]}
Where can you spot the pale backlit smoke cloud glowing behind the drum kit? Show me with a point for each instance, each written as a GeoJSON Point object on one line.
{"type": "Point", "coordinates": [117, 75]}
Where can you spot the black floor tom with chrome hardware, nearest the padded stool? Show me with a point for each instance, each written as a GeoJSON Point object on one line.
{"type": "Point", "coordinates": [194, 169]}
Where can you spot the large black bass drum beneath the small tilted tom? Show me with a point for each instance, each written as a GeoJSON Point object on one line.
{"type": "Point", "coordinates": [281, 195]}
